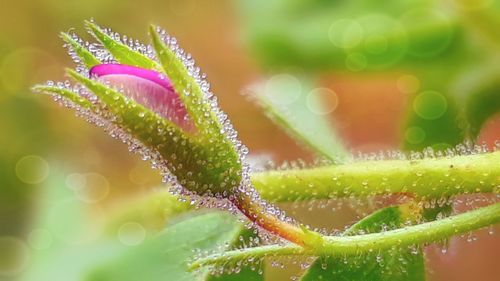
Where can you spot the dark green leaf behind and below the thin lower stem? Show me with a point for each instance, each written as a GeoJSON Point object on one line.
{"type": "Point", "coordinates": [396, 264]}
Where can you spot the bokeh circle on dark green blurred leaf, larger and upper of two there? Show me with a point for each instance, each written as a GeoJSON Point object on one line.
{"type": "Point", "coordinates": [430, 105]}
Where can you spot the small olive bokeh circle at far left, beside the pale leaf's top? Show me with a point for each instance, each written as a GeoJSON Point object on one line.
{"type": "Point", "coordinates": [32, 169]}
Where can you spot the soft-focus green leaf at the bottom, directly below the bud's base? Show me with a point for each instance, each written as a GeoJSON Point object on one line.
{"type": "Point", "coordinates": [166, 257]}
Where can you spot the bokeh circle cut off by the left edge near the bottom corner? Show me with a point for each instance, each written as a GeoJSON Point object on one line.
{"type": "Point", "coordinates": [14, 256]}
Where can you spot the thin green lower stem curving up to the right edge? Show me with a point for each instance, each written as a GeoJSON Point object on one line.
{"type": "Point", "coordinates": [359, 244]}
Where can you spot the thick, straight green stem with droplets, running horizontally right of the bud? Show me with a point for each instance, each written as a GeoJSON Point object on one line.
{"type": "Point", "coordinates": [429, 178]}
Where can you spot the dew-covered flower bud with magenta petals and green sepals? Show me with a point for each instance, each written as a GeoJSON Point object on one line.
{"type": "Point", "coordinates": [162, 109]}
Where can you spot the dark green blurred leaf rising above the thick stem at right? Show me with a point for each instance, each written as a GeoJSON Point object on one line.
{"type": "Point", "coordinates": [435, 115]}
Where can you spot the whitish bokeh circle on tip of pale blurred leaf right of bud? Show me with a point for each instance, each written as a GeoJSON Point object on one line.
{"type": "Point", "coordinates": [283, 89]}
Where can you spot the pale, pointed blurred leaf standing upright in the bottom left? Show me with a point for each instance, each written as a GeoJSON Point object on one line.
{"type": "Point", "coordinates": [66, 223]}
